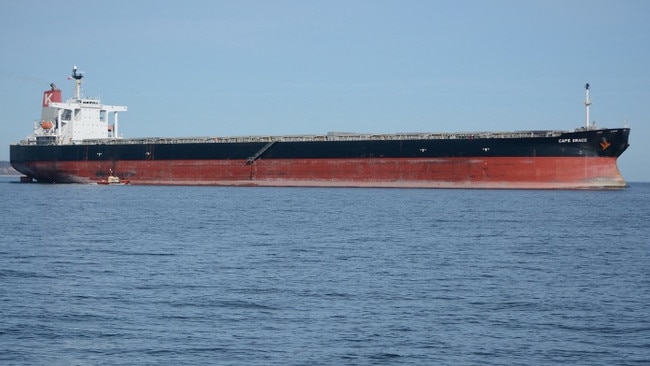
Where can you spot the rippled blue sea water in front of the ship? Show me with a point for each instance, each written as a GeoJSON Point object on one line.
{"type": "Point", "coordinates": [147, 275]}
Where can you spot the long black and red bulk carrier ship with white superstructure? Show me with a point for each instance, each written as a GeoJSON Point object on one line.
{"type": "Point", "coordinates": [77, 141]}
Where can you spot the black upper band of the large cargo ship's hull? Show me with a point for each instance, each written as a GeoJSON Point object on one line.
{"type": "Point", "coordinates": [590, 143]}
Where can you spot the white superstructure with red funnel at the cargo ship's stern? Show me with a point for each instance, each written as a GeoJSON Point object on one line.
{"type": "Point", "coordinates": [75, 120]}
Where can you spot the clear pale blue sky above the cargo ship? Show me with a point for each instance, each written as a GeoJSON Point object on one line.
{"type": "Point", "coordinates": [222, 68]}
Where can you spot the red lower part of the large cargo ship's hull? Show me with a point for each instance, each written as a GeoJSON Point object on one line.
{"type": "Point", "coordinates": [492, 172]}
